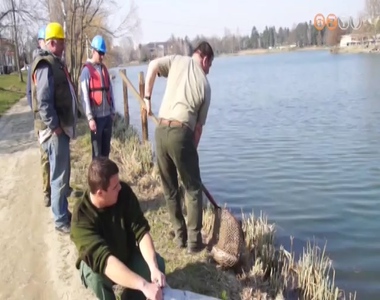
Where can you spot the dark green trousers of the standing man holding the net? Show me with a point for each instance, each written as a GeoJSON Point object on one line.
{"type": "Point", "coordinates": [177, 154]}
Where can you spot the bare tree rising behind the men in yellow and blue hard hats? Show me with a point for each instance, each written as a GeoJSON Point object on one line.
{"type": "Point", "coordinates": [82, 19]}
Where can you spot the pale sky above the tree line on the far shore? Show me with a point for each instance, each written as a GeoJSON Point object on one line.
{"type": "Point", "coordinates": [162, 18]}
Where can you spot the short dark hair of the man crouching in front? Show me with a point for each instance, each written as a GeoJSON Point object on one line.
{"type": "Point", "coordinates": [100, 171]}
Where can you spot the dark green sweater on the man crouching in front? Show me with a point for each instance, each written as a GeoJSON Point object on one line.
{"type": "Point", "coordinates": [116, 230]}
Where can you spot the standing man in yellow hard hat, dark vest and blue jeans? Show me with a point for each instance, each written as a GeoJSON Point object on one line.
{"type": "Point", "coordinates": [55, 108]}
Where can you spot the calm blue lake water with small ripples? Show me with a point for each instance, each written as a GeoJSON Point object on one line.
{"type": "Point", "coordinates": [298, 136]}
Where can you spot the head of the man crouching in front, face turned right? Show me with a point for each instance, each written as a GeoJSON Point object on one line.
{"type": "Point", "coordinates": [103, 181]}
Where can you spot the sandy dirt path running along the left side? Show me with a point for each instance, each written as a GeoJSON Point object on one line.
{"type": "Point", "coordinates": [36, 262]}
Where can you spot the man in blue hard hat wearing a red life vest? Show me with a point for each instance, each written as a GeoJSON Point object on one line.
{"type": "Point", "coordinates": [97, 98]}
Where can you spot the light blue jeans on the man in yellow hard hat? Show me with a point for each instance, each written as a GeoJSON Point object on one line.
{"type": "Point", "coordinates": [57, 148]}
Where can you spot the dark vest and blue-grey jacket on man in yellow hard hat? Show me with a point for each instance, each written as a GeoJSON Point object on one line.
{"type": "Point", "coordinates": [52, 99]}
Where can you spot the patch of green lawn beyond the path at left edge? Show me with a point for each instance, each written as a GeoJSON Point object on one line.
{"type": "Point", "coordinates": [11, 90]}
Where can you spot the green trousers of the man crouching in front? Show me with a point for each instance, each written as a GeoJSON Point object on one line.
{"type": "Point", "coordinates": [101, 285]}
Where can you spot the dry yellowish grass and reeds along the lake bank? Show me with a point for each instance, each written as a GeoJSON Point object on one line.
{"type": "Point", "coordinates": [268, 272]}
